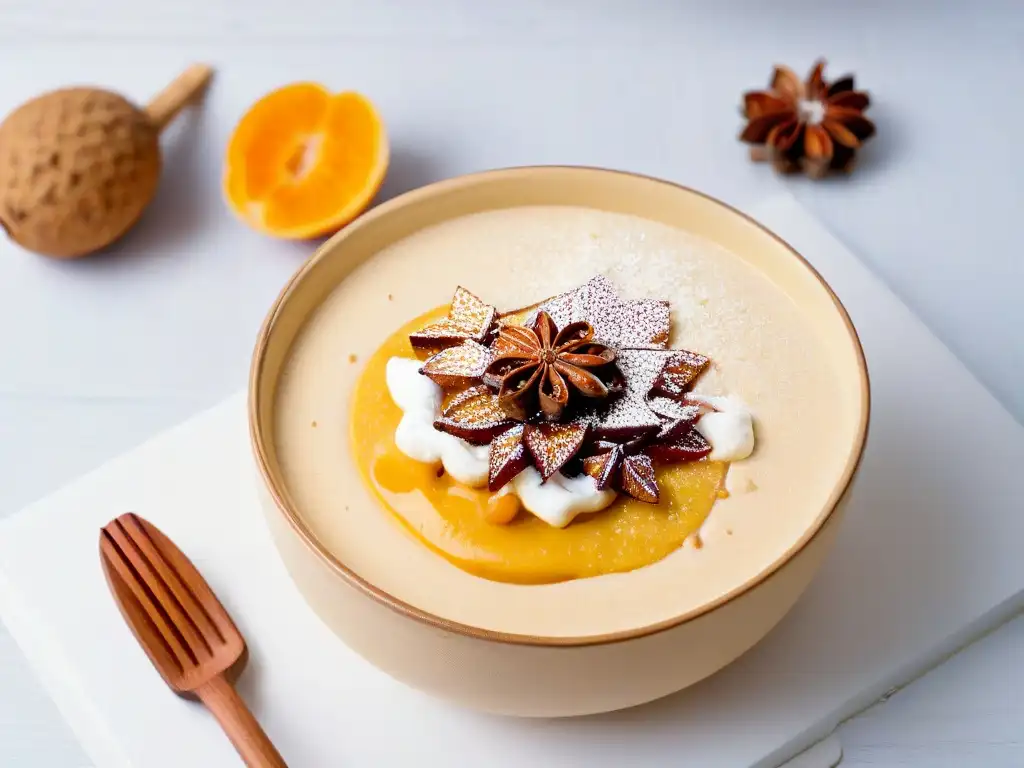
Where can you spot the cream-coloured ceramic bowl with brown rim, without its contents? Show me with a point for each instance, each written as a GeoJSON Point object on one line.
{"type": "Point", "coordinates": [562, 675]}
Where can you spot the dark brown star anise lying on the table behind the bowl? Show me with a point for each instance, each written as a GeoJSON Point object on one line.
{"type": "Point", "coordinates": [810, 126]}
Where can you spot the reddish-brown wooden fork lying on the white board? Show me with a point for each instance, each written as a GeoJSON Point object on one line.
{"type": "Point", "coordinates": [183, 628]}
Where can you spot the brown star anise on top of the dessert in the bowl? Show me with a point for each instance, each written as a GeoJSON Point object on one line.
{"type": "Point", "coordinates": [539, 367]}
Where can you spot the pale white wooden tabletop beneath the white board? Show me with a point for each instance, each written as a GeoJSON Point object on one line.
{"type": "Point", "coordinates": [99, 356]}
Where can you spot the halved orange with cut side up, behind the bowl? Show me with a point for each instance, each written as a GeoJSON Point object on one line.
{"type": "Point", "coordinates": [305, 162]}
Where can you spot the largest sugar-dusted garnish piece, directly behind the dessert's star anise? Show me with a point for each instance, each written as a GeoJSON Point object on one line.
{"type": "Point", "coordinates": [644, 323]}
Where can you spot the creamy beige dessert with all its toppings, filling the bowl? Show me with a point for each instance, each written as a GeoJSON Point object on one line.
{"type": "Point", "coordinates": [521, 546]}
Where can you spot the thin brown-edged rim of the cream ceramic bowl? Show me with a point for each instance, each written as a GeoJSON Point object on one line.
{"type": "Point", "coordinates": [258, 436]}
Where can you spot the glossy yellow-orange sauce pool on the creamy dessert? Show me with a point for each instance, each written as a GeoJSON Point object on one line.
{"type": "Point", "coordinates": [451, 519]}
